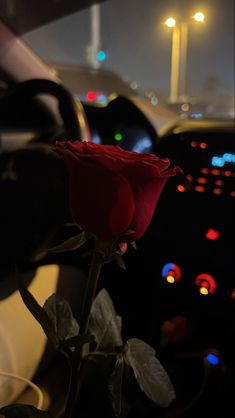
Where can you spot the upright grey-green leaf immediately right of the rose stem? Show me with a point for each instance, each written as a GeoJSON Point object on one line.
{"type": "Point", "coordinates": [104, 323]}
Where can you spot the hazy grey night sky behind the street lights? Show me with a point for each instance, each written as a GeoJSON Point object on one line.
{"type": "Point", "coordinates": [139, 45]}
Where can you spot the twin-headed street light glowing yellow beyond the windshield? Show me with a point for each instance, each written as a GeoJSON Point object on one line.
{"type": "Point", "coordinates": [179, 55]}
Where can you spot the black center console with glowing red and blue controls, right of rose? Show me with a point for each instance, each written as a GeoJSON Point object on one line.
{"type": "Point", "coordinates": [180, 281]}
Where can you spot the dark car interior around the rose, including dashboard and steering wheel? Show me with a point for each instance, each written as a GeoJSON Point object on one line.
{"type": "Point", "coordinates": [177, 292]}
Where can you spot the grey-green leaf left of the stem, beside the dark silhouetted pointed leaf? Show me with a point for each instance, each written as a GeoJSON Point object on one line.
{"type": "Point", "coordinates": [64, 324]}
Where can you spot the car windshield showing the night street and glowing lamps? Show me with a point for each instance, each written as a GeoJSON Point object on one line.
{"type": "Point", "coordinates": [186, 62]}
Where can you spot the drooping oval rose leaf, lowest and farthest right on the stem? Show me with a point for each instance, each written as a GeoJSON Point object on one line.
{"type": "Point", "coordinates": [149, 373]}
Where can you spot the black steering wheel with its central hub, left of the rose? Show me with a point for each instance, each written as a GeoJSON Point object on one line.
{"type": "Point", "coordinates": [40, 186]}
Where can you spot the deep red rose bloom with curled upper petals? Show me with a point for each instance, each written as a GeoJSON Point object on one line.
{"type": "Point", "coordinates": [111, 190]}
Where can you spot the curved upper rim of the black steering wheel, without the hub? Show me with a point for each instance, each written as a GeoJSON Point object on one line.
{"type": "Point", "coordinates": [71, 111]}
